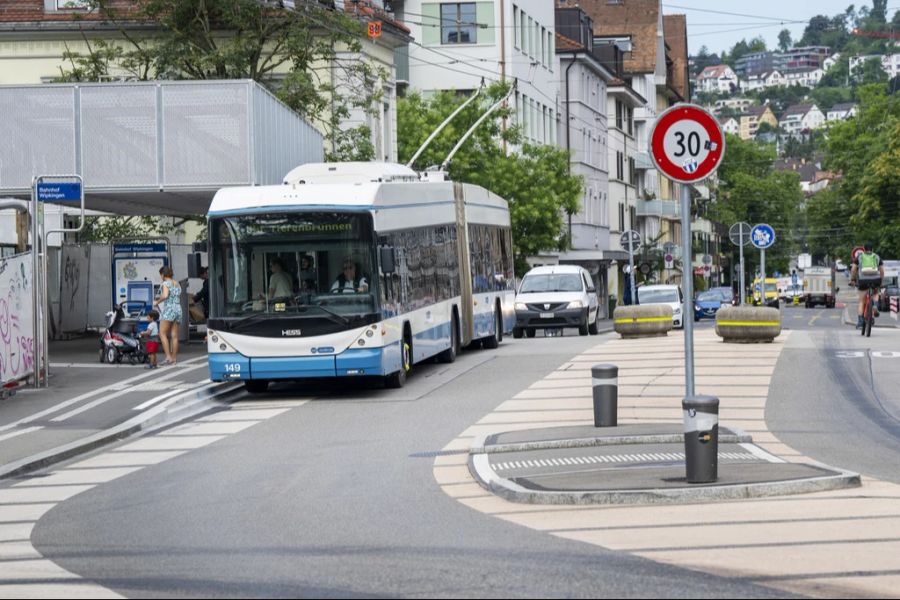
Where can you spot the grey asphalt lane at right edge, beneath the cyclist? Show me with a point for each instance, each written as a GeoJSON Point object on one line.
{"type": "Point", "coordinates": [843, 406]}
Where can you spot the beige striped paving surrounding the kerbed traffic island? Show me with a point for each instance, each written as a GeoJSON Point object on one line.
{"type": "Point", "coordinates": [832, 543]}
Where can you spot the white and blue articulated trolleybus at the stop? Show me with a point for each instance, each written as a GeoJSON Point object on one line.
{"type": "Point", "coordinates": [354, 269]}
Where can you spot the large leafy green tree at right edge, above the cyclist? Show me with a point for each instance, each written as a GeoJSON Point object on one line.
{"type": "Point", "coordinates": [865, 203]}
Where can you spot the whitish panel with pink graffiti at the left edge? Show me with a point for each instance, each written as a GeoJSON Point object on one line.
{"type": "Point", "coordinates": [16, 318]}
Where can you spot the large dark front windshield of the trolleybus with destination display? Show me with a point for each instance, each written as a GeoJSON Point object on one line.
{"type": "Point", "coordinates": [295, 266]}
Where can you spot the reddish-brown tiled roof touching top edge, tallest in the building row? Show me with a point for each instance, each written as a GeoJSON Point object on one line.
{"type": "Point", "coordinates": [638, 19]}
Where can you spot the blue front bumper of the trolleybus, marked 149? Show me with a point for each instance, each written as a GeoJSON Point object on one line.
{"type": "Point", "coordinates": [228, 366]}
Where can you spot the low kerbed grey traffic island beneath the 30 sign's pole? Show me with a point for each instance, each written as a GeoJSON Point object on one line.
{"type": "Point", "coordinates": [634, 464]}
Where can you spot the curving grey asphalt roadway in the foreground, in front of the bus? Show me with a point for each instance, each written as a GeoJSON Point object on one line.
{"type": "Point", "coordinates": [336, 498]}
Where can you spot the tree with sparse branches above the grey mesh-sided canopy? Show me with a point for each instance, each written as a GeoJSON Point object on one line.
{"type": "Point", "coordinates": [294, 53]}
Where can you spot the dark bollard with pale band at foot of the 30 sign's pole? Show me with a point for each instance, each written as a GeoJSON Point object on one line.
{"type": "Point", "coordinates": [701, 438]}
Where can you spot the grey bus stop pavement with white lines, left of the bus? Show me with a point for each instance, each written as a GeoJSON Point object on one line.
{"type": "Point", "coordinates": [88, 403]}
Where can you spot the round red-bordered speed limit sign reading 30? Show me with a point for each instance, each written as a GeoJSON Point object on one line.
{"type": "Point", "coordinates": [686, 143]}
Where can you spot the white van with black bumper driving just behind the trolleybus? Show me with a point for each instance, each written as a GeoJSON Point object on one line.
{"type": "Point", "coordinates": [554, 297]}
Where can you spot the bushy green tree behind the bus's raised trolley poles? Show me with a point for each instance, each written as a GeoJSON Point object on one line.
{"type": "Point", "coordinates": [535, 180]}
